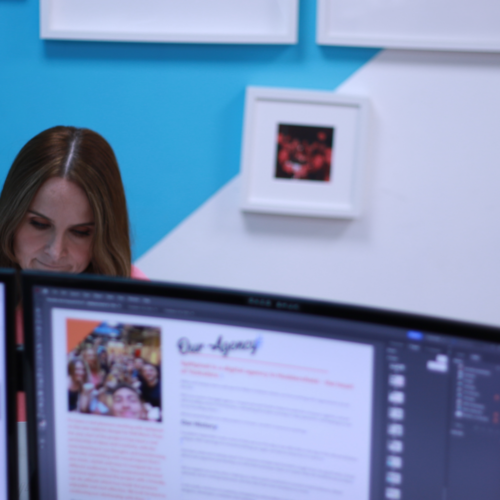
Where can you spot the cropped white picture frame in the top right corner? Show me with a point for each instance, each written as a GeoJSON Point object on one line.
{"type": "Point", "coordinates": [465, 25]}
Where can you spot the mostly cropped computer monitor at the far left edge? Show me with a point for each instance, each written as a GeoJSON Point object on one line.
{"type": "Point", "coordinates": [8, 388]}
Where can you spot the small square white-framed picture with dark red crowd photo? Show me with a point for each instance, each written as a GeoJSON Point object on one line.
{"type": "Point", "coordinates": [303, 152]}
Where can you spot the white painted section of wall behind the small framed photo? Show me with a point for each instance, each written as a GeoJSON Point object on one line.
{"type": "Point", "coordinates": [429, 238]}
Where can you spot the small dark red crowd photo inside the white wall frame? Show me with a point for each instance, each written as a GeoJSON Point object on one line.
{"type": "Point", "coordinates": [304, 152]}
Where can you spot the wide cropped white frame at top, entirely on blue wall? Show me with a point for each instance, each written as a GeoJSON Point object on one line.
{"type": "Point", "coordinates": [184, 21]}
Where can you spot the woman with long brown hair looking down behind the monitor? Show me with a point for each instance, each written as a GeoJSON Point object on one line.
{"type": "Point", "coordinates": [63, 207]}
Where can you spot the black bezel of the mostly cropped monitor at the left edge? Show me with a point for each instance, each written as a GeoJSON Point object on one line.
{"type": "Point", "coordinates": [11, 376]}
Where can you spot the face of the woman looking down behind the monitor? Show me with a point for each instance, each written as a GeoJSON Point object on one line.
{"type": "Point", "coordinates": [57, 231]}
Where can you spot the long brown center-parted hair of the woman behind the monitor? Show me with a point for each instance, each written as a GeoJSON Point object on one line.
{"type": "Point", "coordinates": [85, 158]}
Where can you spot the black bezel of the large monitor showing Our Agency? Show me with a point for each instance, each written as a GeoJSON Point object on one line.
{"type": "Point", "coordinates": [258, 300]}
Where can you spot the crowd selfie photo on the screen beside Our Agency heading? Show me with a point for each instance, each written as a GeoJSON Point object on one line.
{"type": "Point", "coordinates": [114, 369]}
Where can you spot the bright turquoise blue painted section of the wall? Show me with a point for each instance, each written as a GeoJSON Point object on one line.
{"type": "Point", "coordinates": [172, 112]}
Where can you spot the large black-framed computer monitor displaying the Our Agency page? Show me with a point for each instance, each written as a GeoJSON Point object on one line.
{"type": "Point", "coordinates": [143, 390]}
